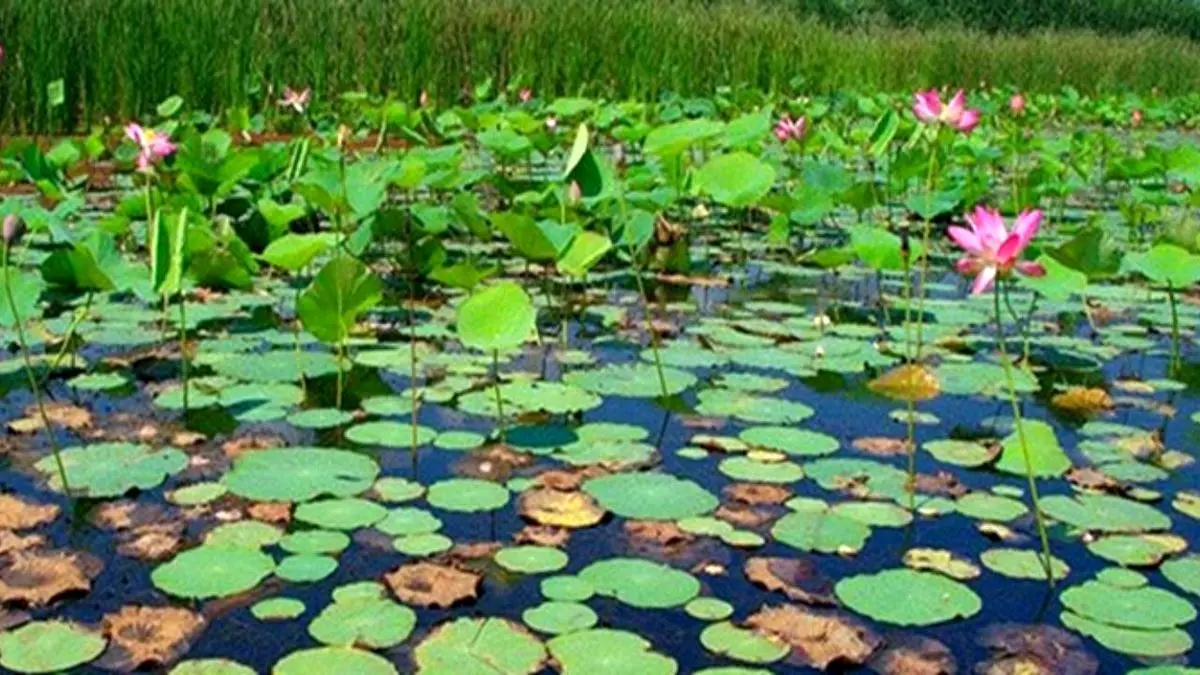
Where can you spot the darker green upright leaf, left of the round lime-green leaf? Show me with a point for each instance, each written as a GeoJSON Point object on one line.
{"type": "Point", "coordinates": [338, 296]}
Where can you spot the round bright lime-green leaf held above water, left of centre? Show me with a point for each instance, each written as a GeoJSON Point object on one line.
{"type": "Point", "coordinates": [497, 318]}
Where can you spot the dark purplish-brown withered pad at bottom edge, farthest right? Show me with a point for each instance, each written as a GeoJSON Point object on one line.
{"type": "Point", "coordinates": [1034, 650]}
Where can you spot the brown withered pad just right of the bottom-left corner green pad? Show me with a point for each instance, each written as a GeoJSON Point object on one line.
{"type": "Point", "coordinates": [148, 637]}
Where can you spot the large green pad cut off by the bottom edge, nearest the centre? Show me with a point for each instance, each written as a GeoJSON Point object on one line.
{"type": "Point", "coordinates": [609, 652]}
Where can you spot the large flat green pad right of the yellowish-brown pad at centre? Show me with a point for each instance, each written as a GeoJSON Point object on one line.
{"type": "Point", "coordinates": [651, 497]}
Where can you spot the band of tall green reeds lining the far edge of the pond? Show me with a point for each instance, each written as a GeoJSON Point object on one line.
{"type": "Point", "coordinates": [117, 59]}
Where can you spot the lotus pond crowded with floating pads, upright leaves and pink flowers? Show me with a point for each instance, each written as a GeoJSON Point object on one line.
{"type": "Point", "coordinates": [725, 386]}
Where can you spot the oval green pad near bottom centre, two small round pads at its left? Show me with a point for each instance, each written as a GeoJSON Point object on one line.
{"type": "Point", "coordinates": [641, 583]}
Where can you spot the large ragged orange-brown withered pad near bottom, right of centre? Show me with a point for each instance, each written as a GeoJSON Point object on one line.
{"type": "Point", "coordinates": [819, 638]}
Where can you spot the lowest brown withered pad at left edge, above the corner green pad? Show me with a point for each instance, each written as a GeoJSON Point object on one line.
{"type": "Point", "coordinates": [35, 578]}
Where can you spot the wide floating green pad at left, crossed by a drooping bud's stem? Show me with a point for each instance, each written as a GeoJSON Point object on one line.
{"type": "Point", "coordinates": [110, 470]}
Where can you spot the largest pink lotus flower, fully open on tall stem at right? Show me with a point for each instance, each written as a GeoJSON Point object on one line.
{"type": "Point", "coordinates": [992, 250]}
